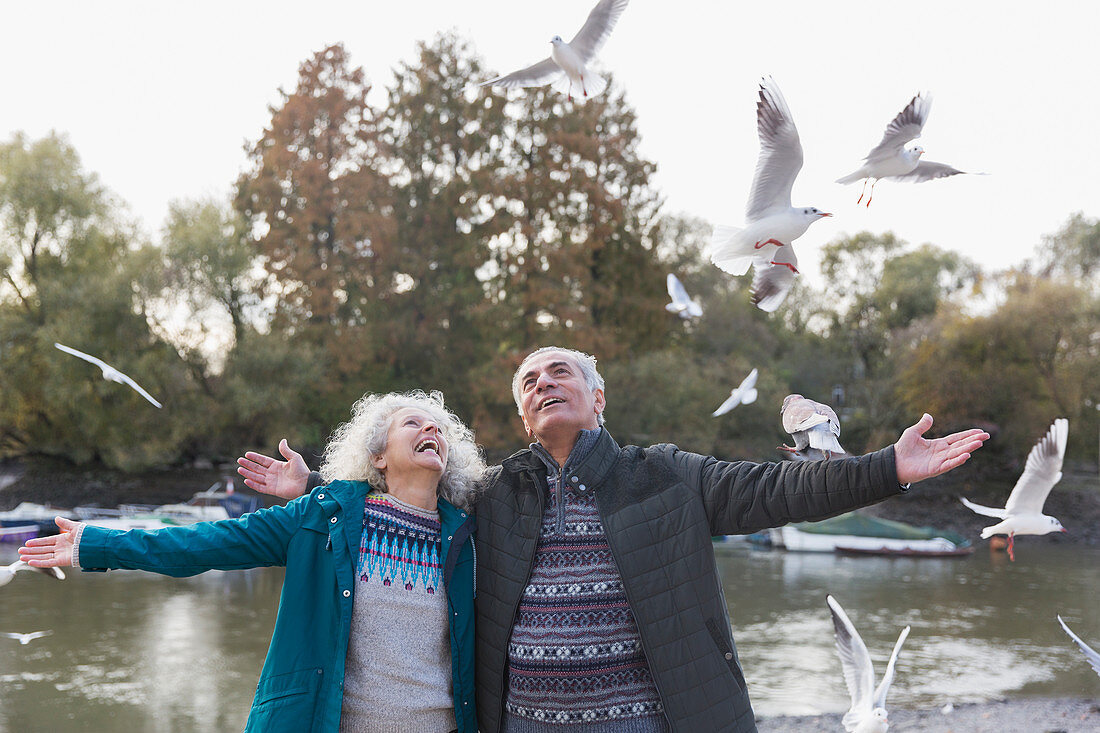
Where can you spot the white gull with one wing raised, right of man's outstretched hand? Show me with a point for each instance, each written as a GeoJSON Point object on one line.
{"type": "Point", "coordinates": [1024, 513]}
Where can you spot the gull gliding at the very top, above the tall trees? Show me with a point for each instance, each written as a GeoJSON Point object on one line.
{"type": "Point", "coordinates": [568, 65]}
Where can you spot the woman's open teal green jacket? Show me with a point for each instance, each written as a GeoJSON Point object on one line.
{"type": "Point", "coordinates": [317, 538]}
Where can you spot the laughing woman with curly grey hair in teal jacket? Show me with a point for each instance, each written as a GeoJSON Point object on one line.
{"type": "Point", "coordinates": [376, 628]}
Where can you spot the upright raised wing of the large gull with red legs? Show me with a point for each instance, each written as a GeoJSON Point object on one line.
{"type": "Point", "coordinates": [780, 158]}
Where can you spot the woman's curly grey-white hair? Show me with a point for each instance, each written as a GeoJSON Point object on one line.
{"type": "Point", "coordinates": [349, 452]}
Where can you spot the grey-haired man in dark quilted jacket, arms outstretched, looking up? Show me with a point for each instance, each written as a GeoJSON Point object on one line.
{"type": "Point", "coordinates": [600, 608]}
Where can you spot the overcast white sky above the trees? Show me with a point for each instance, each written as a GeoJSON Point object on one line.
{"type": "Point", "coordinates": [161, 100]}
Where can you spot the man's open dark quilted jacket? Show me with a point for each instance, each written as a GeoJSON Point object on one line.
{"type": "Point", "coordinates": [659, 507]}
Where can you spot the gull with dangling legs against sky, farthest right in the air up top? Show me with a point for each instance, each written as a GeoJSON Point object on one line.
{"type": "Point", "coordinates": [892, 160]}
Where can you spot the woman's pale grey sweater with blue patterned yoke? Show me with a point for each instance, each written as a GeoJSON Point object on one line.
{"type": "Point", "coordinates": [398, 675]}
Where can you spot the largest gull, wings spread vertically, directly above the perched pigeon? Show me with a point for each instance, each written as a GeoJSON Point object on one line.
{"type": "Point", "coordinates": [771, 220]}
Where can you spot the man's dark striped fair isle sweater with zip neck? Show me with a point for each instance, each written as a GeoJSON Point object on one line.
{"type": "Point", "coordinates": [576, 659]}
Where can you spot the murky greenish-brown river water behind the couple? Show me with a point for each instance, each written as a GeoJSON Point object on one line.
{"type": "Point", "coordinates": [139, 653]}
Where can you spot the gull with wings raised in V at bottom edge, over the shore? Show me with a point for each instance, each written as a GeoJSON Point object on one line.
{"type": "Point", "coordinates": [868, 713]}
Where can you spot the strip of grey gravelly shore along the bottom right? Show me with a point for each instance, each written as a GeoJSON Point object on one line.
{"type": "Point", "coordinates": [1022, 716]}
